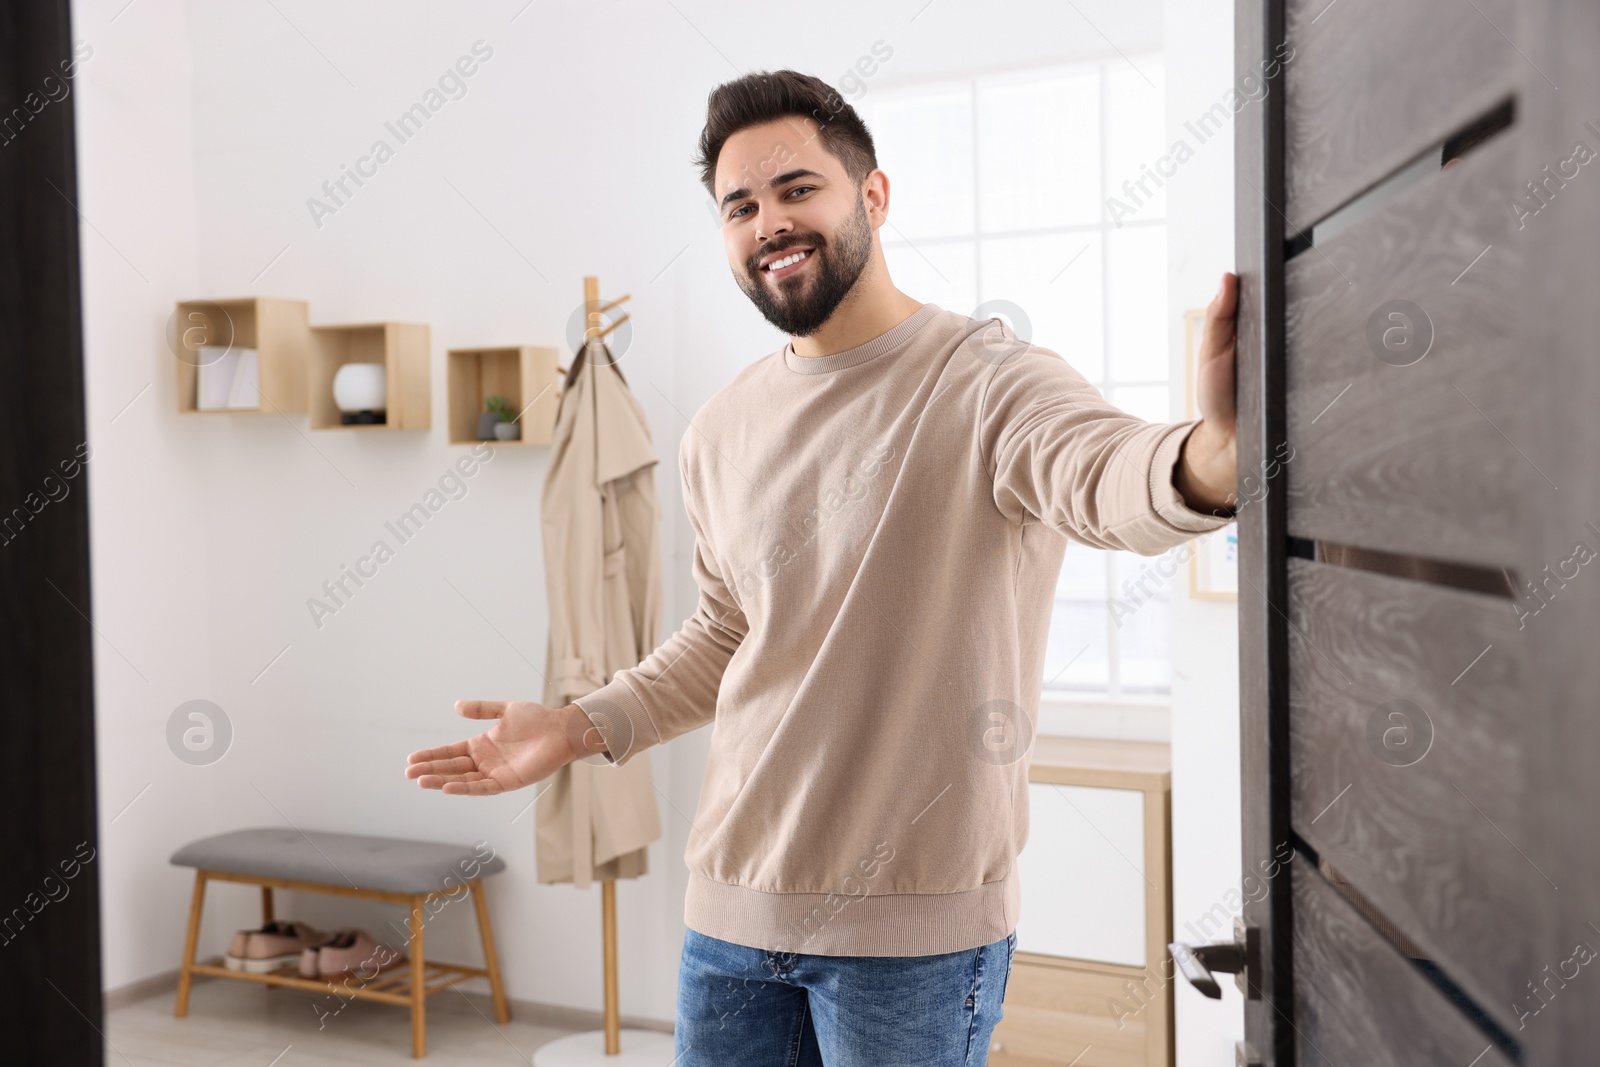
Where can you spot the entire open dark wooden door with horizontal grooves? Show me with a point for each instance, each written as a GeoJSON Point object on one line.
{"type": "Point", "coordinates": [1420, 601]}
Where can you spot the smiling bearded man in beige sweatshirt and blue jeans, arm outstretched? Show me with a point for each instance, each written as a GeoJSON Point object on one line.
{"type": "Point", "coordinates": [881, 513]}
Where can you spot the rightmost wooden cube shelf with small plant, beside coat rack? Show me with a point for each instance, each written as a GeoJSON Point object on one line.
{"type": "Point", "coordinates": [526, 375]}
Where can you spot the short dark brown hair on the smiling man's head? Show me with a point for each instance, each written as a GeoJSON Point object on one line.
{"type": "Point", "coordinates": [769, 95]}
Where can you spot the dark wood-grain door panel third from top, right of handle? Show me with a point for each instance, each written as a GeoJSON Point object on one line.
{"type": "Point", "coordinates": [1406, 749]}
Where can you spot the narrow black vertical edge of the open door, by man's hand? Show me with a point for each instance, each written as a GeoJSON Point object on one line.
{"type": "Point", "coordinates": [1263, 633]}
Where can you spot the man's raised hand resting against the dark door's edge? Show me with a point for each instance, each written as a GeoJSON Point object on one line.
{"type": "Point", "coordinates": [1207, 474]}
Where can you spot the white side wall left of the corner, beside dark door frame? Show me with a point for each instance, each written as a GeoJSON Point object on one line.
{"type": "Point", "coordinates": [150, 473]}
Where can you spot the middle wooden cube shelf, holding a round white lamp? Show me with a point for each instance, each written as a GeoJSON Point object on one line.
{"type": "Point", "coordinates": [401, 348]}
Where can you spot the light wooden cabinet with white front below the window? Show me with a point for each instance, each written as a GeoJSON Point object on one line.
{"type": "Point", "coordinates": [1092, 983]}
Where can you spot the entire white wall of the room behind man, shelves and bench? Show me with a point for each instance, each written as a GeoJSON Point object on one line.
{"type": "Point", "coordinates": [204, 130]}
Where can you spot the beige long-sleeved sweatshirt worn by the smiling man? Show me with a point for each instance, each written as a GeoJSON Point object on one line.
{"type": "Point", "coordinates": [878, 538]}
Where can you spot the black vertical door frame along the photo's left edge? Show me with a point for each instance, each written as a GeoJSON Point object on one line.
{"type": "Point", "coordinates": [50, 957]}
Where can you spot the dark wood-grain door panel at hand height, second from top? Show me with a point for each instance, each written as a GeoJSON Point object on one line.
{"type": "Point", "coordinates": [1406, 382]}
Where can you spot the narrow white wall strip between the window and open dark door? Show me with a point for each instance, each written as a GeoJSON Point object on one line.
{"type": "Point", "coordinates": [1206, 633]}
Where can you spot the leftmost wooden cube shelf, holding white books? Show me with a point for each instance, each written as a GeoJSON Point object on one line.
{"type": "Point", "coordinates": [278, 330]}
